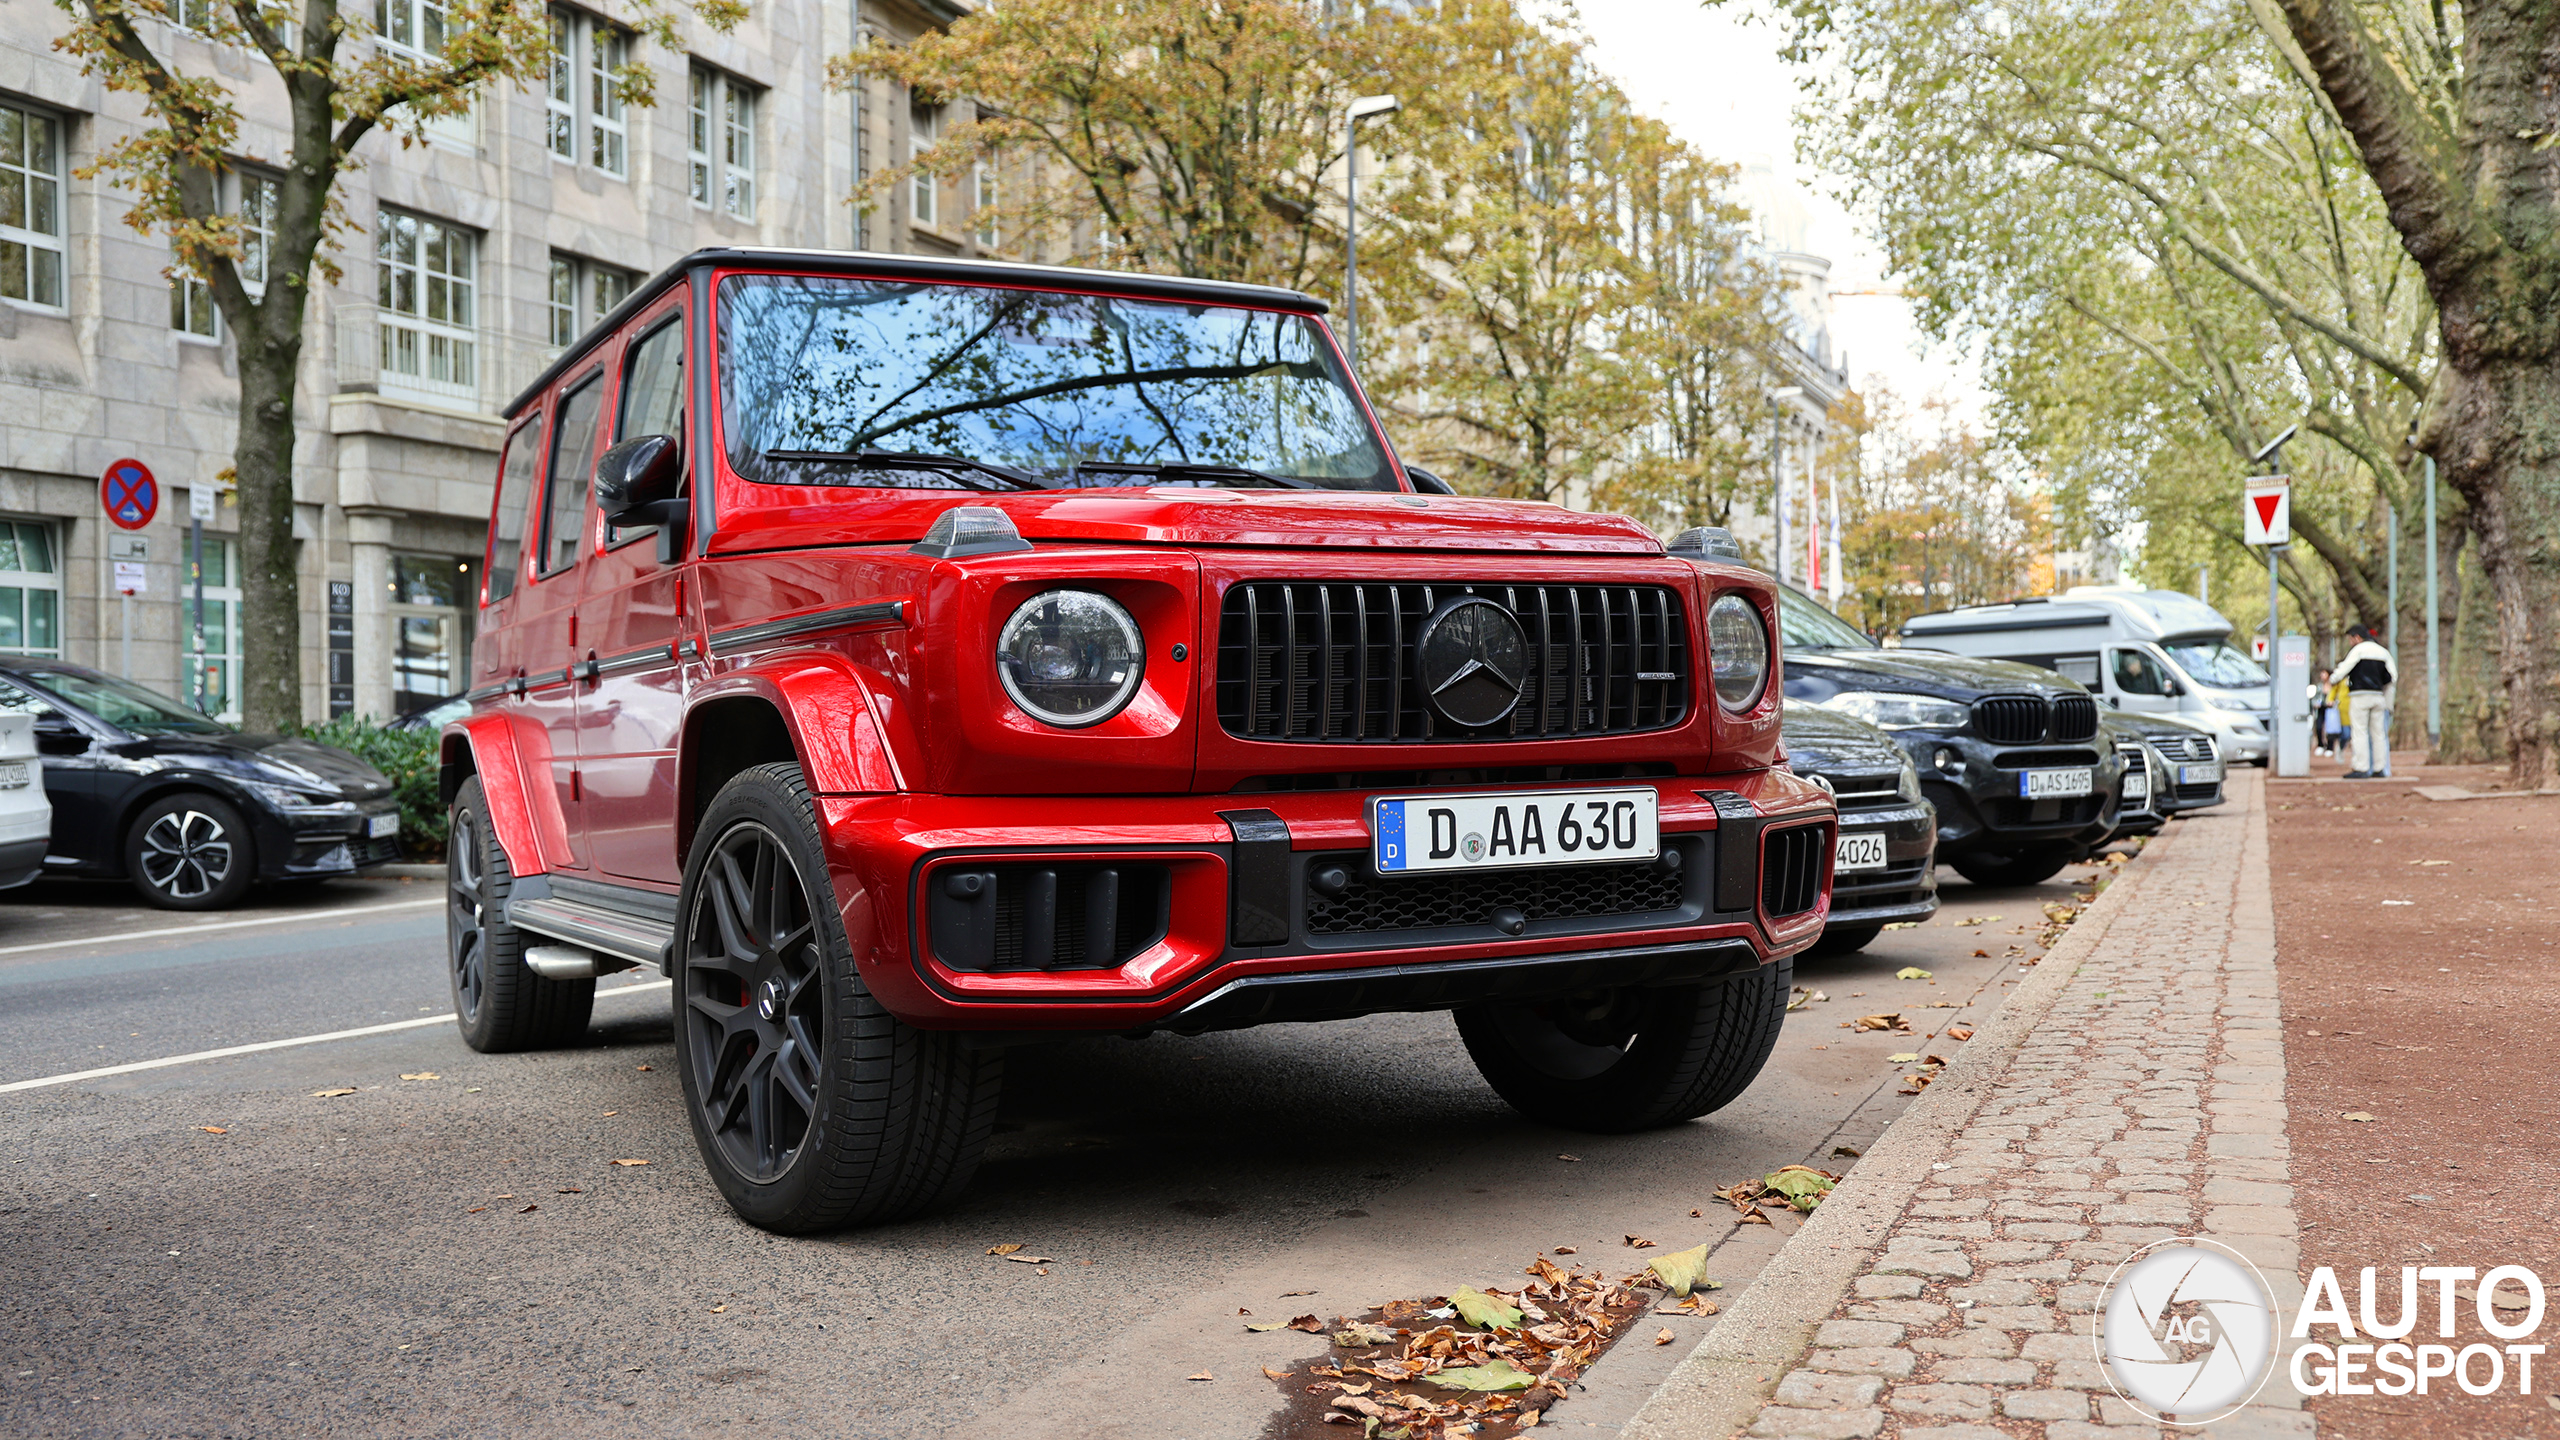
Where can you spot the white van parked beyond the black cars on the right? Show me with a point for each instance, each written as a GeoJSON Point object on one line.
{"type": "Point", "coordinates": [2136, 650]}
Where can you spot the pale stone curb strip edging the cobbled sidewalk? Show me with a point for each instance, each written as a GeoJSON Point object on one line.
{"type": "Point", "coordinates": [1732, 1375]}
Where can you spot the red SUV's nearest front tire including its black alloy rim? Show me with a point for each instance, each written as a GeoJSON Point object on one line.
{"type": "Point", "coordinates": [813, 1106]}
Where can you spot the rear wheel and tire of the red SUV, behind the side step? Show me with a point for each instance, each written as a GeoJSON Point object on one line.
{"type": "Point", "coordinates": [498, 1001]}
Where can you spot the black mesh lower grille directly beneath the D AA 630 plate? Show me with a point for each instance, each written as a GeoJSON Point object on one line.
{"type": "Point", "coordinates": [1435, 901]}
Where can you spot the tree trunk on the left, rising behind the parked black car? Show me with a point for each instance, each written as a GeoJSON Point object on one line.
{"type": "Point", "coordinates": [262, 460]}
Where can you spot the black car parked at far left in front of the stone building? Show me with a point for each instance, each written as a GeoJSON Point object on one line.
{"type": "Point", "coordinates": [188, 808]}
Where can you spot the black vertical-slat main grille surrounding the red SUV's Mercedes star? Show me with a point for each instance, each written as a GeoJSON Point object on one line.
{"type": "Point", "coordinates": [1332, 662]}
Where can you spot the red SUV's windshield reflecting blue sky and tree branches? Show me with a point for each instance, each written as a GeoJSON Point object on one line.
{"type": "Point", "coordinates": [823, 368]}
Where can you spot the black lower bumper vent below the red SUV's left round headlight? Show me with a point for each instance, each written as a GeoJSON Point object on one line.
{"type": "Point", "coordinates": [1079, 916]}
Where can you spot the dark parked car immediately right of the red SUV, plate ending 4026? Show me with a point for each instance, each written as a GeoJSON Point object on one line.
{"type": "Point", "coordinates": [1888, 831]}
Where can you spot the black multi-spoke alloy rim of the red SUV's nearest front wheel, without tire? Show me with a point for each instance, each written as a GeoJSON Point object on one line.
{"type": "Point", "coordinates": [756, 988]}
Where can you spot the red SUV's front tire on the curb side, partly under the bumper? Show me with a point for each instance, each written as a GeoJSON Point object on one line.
{"type": "Point", "coordinates": [1629, 1060]}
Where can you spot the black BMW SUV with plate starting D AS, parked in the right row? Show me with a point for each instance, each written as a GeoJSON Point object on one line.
{"type": "Point", "coordinates": [2008, 755]}
